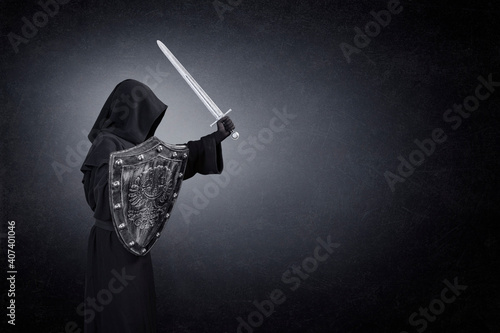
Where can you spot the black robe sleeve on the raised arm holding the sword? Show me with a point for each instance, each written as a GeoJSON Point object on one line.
{"type": "Point", "coordinates": [205, 157]}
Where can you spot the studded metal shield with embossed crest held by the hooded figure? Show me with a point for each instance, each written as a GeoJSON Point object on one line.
{"type": "Point", "coordinates": [143, 184]}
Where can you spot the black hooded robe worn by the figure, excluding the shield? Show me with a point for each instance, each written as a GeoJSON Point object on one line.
{"type": "Point", "coordinates": [119, 286]}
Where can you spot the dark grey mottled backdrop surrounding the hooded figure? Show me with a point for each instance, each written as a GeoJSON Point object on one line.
{"type": "Point", "coordinates": [322, 175]}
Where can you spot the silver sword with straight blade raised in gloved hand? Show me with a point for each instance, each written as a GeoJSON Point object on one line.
{"type": "Point", "coordinates": [202, 95]}
